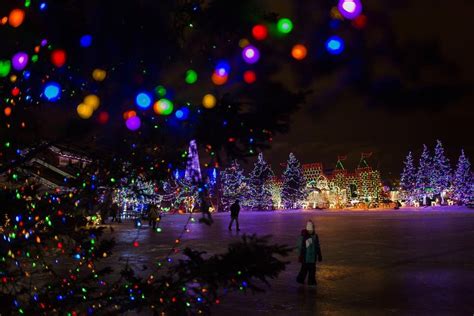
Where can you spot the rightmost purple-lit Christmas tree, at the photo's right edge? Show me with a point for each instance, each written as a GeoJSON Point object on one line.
{"type": "Point", "coordinates": [463, 183]}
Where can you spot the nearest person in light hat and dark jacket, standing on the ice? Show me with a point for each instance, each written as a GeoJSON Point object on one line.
{"type": "Point", "coordinates": [309, 251]}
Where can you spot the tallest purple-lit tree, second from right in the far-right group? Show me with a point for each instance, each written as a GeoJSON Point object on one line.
{"type": "Point", "coordinates": [441, 172]}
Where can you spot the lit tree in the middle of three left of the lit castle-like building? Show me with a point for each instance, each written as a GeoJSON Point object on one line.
{"type": "Point", "coordinates": [259, 196]}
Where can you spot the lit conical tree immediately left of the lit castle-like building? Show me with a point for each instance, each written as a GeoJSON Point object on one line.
{"type": "Point", "coordinates": [294, 184]}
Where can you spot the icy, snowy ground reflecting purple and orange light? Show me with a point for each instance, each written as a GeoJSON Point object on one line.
{"type": "Point", "coordinates": [412, 261]}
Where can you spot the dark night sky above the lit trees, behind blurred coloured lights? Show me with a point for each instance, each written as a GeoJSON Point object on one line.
{"type": "Point", "coordinates": [405, 79]}
